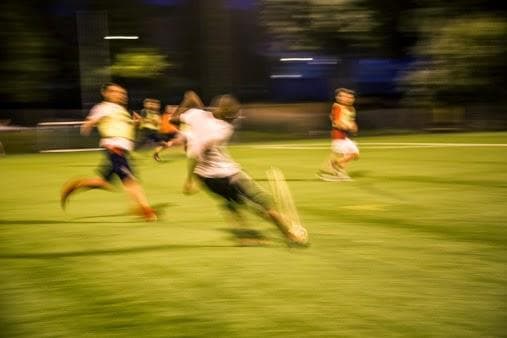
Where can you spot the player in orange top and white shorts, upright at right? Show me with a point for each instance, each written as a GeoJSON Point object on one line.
{"type": "Point", "coordinates": [343, 121]}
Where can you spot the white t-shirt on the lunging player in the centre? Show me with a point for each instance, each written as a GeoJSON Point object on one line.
{"type": "Point", "coordinates": [206, 140]}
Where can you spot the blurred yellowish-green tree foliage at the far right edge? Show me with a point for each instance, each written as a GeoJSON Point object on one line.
{"type": "Point", "coordinates": [461, 60]}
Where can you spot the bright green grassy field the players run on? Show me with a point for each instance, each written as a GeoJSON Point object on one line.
{"type": "Point", "coordinates": [415, 246]}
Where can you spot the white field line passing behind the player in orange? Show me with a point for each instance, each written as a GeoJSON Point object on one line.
{"type": "Point", "coordinates": [378, 145]}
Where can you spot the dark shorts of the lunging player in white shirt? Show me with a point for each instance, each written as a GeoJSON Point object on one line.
{"type": "Point", "coordinates": [238, 188]}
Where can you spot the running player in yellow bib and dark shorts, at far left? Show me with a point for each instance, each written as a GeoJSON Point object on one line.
{"type": "Point", "coordinates": [117, 131]}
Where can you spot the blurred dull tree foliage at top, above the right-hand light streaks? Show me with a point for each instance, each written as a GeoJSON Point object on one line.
{"type": "Point", "coordinates": [308, 25]}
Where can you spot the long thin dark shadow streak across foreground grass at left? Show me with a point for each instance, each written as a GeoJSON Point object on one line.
{"type": "Point", "coordinates": [106, 252]}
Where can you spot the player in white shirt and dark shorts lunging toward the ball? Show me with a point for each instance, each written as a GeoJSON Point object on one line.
{"type": "Point", "coordinates": [206, 138]}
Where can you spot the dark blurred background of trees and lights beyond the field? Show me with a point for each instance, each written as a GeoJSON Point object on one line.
{"type": "Point", "coordinates": [415, 64]}
